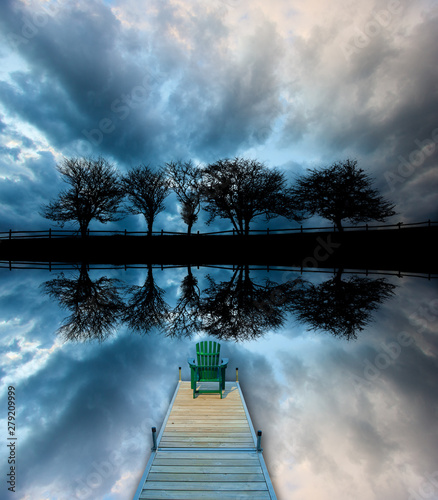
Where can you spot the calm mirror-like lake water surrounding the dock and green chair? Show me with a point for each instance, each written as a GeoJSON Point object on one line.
{"type": "Point", "coordinates": [339, 371]}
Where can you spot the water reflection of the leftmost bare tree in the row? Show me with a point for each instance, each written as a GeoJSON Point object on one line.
{"type": "Point", "coordinates": [96, 305]}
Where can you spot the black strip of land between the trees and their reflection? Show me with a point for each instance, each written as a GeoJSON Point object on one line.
{"type": "Point", "coordinates": [406, 250]}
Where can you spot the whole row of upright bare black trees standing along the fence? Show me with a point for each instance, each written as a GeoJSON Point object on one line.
{"type": "Point", "coordinates": [238, 190]}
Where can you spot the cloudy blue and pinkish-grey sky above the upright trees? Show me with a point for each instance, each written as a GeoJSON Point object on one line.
{"type": "Point", "coordinates": [294, 84]}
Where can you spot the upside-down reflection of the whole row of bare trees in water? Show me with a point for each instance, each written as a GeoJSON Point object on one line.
{"type": "Point", "coordinates": [237, 308]}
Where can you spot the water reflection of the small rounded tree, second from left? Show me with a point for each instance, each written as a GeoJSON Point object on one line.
{"type": "Point", "coordinates": [146, 308]}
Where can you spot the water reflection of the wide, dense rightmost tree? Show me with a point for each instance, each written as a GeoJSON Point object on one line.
{"type": "Point", "coordinates": [340, 307]}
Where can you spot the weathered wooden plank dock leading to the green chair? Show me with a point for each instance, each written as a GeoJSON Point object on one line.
{"type": "Point", "coordinates": [206, 449]}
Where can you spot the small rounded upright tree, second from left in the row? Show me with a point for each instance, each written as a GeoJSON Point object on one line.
{"type": "Point", "coordinates": [146, 191]}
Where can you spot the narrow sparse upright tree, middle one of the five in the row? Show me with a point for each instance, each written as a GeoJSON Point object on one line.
{"type": "Point", "coordinates": [185, 180]}
